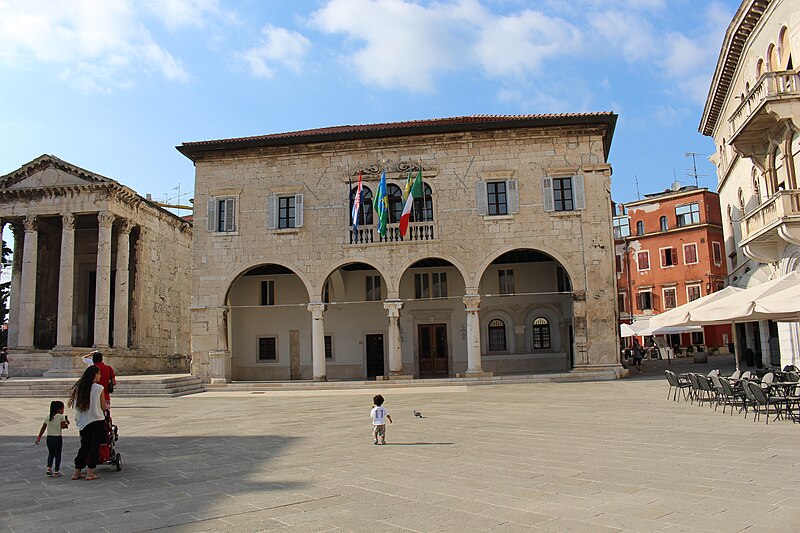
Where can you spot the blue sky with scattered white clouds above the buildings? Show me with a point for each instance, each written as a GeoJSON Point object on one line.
{"type": "Point", "coordinates": [114, 86]}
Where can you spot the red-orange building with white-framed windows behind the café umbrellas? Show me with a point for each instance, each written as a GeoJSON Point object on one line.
{"type": "Point", "coordinates": [670, 251]}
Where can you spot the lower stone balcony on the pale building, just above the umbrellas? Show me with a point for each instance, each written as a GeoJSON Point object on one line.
{"type": "Point", "coordinates": [771, 226]}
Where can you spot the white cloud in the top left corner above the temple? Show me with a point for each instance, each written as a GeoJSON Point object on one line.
{"type": "Point", "coordinates": [96, 45]}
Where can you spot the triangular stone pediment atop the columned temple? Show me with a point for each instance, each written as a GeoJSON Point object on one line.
{"type": "Point", "coordinates": [49, 171]}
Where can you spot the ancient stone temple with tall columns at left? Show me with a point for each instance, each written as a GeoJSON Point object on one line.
{"type": "Point", "coordinates": [95, 265]}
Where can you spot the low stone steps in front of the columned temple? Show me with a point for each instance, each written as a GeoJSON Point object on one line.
{"type": "Point", "coordinates": [127, 386]}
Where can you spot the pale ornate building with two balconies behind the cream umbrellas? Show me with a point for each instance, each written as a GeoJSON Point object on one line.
{"type": "Point", "coordinates": [753, 115]}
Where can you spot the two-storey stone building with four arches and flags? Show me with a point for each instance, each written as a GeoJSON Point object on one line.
{"type": "Point", "coordinates": [507, 265]}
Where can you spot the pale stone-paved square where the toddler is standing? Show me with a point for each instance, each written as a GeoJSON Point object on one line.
{"type": "Point", "coordinates": [604, 456]}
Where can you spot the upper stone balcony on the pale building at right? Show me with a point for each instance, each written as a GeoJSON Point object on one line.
{"type": "Point", "coordinates": [775, 97]}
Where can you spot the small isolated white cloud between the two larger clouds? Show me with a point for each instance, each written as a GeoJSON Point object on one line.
{"type": "Point", "coordinates": [279, 45]}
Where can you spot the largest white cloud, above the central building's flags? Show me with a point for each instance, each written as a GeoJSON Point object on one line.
{"type": "Point", "coordinates": [400, 43]}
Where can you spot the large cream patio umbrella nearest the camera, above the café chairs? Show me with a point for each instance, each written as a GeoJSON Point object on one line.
{"type": "Point", "coordinates": [742, 306]}
